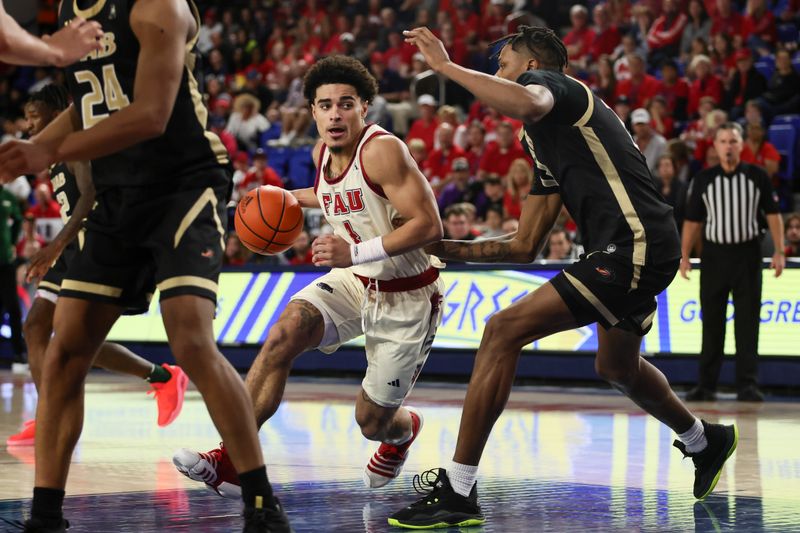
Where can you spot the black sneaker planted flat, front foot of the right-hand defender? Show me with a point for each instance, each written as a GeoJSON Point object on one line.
{"type": "Point", "coordinates": [441, 506]}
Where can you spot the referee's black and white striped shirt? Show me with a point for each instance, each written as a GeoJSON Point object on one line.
{"type": "Point", "coordinates": [731, 204]}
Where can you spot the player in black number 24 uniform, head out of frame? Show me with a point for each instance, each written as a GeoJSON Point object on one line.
{"type": "Point", "coordinates": [161, 183]}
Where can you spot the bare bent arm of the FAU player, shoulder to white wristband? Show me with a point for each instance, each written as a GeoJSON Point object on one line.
{"type": "Point", "coordinates": [388, 163]}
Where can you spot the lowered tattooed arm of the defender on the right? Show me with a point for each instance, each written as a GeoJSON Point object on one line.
{"type": "Point", "coordinates": [539, 213]}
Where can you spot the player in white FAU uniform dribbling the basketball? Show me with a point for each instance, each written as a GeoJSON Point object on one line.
{"type": "Point", "coordinates": [382, 283]}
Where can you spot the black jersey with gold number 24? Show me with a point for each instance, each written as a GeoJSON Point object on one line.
{"type": "Point", "coordinates": [102, 83]}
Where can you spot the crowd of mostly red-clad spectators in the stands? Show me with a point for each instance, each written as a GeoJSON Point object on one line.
{"type": "Point", "coordinates": [672, 70]}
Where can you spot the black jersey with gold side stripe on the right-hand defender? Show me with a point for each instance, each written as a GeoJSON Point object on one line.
{"type": "Point", "coordinates": [583, 152]}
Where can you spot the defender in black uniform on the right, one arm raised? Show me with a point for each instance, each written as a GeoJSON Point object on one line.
{"type": "Point", "coordinates": [585, 159]}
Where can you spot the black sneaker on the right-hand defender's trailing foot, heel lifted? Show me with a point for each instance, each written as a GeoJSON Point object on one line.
{"type": "Point", "coordinates": [709, 461]}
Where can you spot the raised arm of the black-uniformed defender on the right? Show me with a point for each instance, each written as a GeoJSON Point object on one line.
{"type": "Point", "coordinates": [527, 103]}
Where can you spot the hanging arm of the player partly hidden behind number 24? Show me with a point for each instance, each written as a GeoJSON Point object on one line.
{"type": "Point", "coordinates": [44, 258]}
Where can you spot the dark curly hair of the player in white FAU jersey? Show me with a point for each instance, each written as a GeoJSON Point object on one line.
{"type": "Point", "coordinates": [340, 69]}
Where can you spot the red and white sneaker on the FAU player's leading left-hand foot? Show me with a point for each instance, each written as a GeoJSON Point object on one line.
{"type": "Point", "coordinates": [214, 468]}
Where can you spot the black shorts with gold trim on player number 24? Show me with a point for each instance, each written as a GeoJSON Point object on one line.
{"type": "Point", "coordinates": [170, 236]}
